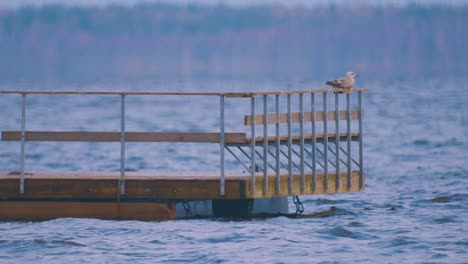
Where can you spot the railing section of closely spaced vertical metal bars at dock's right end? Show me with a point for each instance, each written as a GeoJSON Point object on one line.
{"type": "Point", "coordinates": [301, 151]}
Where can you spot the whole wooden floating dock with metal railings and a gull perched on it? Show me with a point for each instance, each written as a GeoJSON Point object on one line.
{"type": "Point", "coordinates": [326, 159]}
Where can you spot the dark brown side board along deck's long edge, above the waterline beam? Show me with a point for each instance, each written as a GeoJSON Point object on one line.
{"type": "Point", "coordinates": [137, 187]}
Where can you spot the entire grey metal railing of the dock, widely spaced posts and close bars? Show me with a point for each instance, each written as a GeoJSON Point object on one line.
{"type": "Point", "coordinates": [307, 144]}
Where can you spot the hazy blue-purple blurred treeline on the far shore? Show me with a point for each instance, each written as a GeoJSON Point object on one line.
{"type": "Point", "coordinates": [152, 42]}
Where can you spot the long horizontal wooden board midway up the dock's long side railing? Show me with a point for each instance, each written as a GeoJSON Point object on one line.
{"type": "Point", "coordinates": [196, 137]}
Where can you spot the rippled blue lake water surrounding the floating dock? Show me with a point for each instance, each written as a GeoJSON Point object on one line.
{"type": "Point", "coordinates": [414, 209]}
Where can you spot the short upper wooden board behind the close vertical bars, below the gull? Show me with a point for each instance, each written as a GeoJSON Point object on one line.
{"type": "Point", "coordinates": [283, 118]}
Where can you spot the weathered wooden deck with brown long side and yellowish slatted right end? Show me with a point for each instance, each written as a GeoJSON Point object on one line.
{"type": "Point", "coordinates": [157, 187]}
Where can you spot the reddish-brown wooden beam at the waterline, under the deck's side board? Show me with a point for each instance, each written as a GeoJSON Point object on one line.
{"type": "Point", "coordinates": [45, 210]}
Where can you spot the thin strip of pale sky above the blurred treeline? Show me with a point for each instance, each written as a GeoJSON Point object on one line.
{"type": "Point", "coordinates": [19, 3]}
